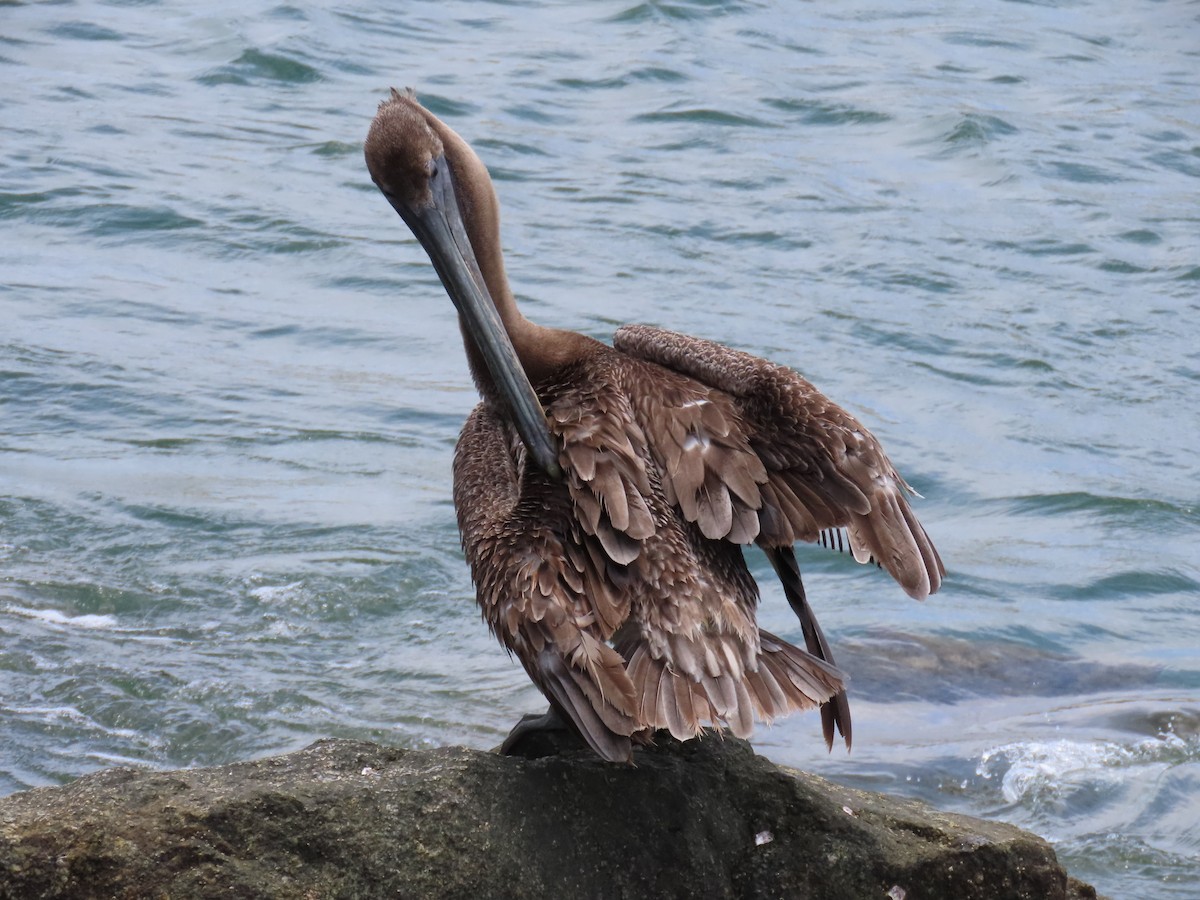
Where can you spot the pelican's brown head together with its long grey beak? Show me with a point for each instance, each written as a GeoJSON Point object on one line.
{"type": "Point", "coordinates": [436, 184]}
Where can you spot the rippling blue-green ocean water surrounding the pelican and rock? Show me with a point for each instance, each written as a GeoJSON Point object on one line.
{"type": "Point", "coordinates": [231, 383]}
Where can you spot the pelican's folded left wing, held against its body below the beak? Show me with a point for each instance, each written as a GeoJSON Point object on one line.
{"type": "Point", "coordinates": [545, 589]}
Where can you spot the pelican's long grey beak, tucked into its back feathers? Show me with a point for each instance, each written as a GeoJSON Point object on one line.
{"type": "Point", "coordinates": [439, 227]}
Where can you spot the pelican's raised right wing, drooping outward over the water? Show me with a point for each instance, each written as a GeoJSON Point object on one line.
{"type": "Point", "coordinates": [815, 465]}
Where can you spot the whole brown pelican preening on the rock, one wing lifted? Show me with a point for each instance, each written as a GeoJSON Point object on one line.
{"type": "Point", "coordinates": [604, 493]}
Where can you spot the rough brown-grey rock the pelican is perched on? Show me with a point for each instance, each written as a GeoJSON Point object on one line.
{"type": "Point", "coordinates": [706, 819]}
